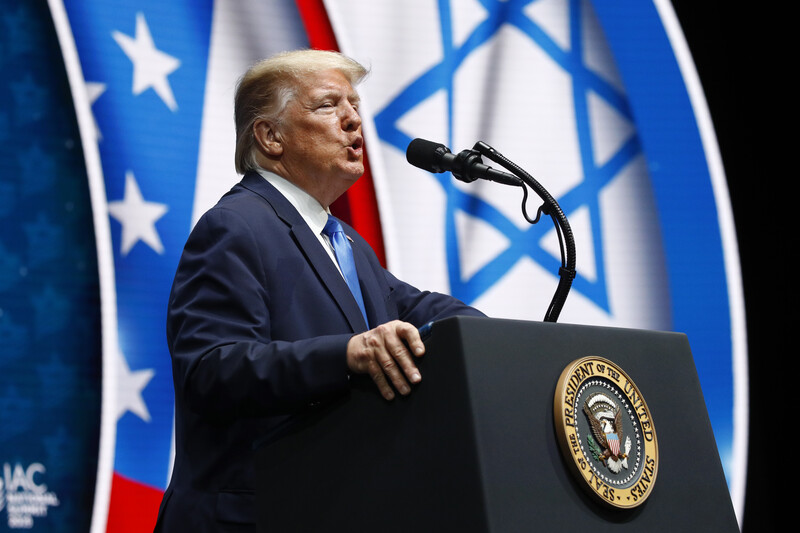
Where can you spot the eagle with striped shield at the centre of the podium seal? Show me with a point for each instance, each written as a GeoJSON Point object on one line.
{"type": "Point", "coordinates": [605, 442]}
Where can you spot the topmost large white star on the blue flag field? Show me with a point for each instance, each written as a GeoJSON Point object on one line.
{"type": "Point", "coordinates": [150, 65]}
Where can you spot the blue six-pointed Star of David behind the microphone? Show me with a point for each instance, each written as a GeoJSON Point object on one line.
{"type": "Point", "coordinates": [585, 195]}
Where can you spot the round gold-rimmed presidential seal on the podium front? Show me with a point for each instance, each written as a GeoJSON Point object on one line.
{"type": "Point", "coordinates": [605, 432]}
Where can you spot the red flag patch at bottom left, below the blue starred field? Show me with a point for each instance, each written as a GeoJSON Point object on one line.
{"type": "Point", "coordinates": [133, 507]}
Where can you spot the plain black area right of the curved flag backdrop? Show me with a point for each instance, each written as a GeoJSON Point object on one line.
{"type": "Point", "coordinates": [736, 51]}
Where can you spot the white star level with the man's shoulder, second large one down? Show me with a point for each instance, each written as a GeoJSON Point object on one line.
{"type": "Point", "coordinates": [138, 217]}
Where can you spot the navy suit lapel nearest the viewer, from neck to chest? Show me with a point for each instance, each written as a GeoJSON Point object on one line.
{"type": "Point", "coordinates": [311, 248]}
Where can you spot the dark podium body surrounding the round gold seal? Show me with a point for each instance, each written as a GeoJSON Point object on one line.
{"type": "Point", "coordinates": [473, 448]}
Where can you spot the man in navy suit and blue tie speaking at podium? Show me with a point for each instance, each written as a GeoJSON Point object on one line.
{"type": "Point", "coordinates": [261, 321]}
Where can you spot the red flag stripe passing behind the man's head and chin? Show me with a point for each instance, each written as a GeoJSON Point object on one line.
{"type": "Point", "coordinates": [359, 205]}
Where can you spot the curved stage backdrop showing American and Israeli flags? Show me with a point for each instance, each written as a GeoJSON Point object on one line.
{"type": "Point", "coordinates": [116, 134]}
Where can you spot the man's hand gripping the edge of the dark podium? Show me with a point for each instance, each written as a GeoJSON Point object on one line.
{"type": "Point", "coordinates": [385, 354]}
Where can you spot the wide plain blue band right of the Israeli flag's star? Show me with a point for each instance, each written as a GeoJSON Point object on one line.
{"type": "Point", "coordinates": [677, 163]}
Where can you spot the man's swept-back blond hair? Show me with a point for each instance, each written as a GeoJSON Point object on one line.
{"type": "Point", "coordinates": [268, 86]}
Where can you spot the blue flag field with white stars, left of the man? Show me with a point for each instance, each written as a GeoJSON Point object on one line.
{"type": "Point", "coordinates": [146, 65]}
